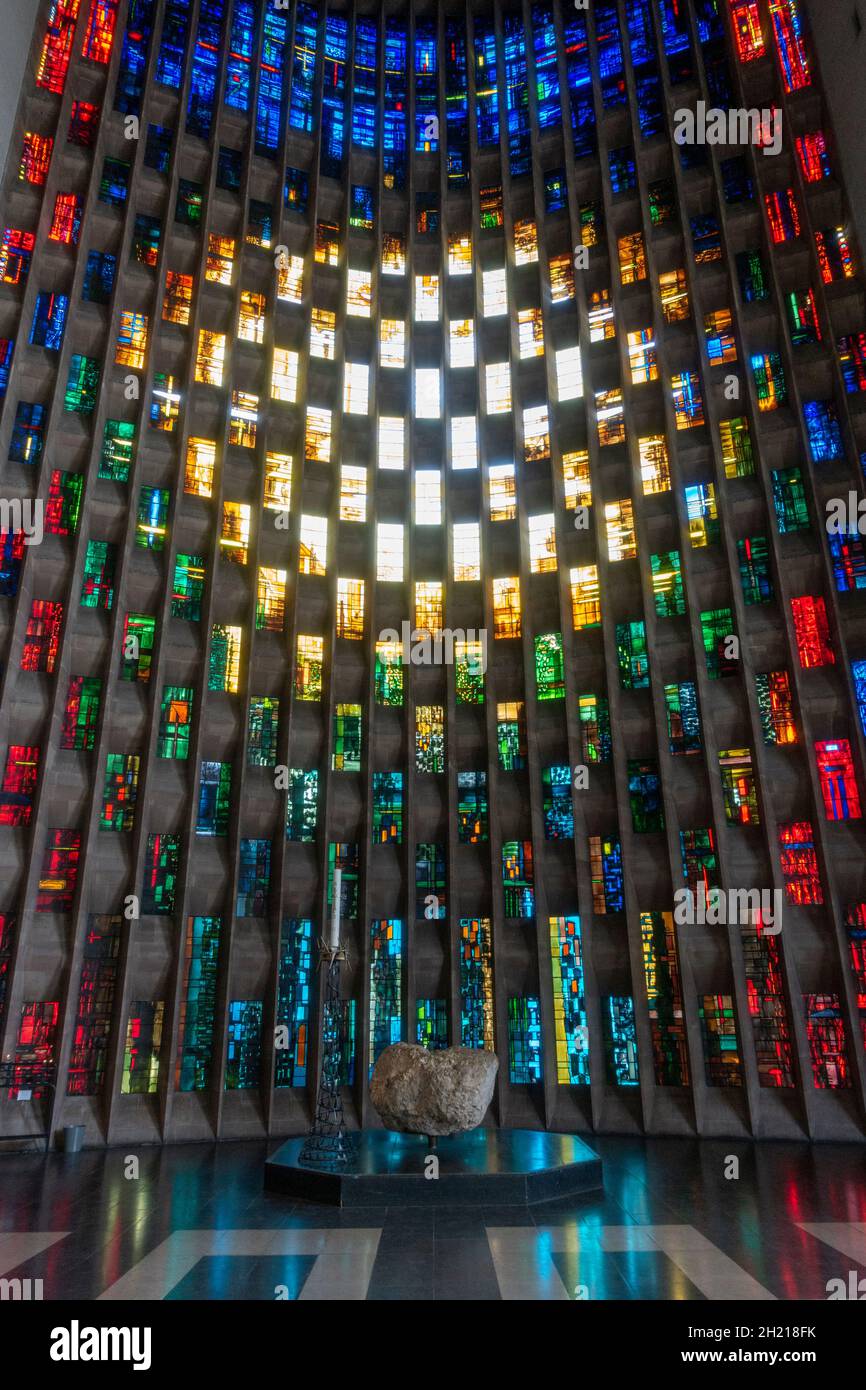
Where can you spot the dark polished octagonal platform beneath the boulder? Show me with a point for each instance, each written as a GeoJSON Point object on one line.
{"type": "Point", "coordinates": [487, 1167]}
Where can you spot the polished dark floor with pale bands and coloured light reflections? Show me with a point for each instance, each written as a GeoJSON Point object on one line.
{"type": "Point", "coordinates": [197, 1224]}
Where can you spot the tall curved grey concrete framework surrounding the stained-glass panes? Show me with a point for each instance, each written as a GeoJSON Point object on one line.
{"type": "Point", "coordinates": [822, 711]}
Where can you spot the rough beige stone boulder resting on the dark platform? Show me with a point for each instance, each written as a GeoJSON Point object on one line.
{"type": "Point", "coordinates": [444, 1092]}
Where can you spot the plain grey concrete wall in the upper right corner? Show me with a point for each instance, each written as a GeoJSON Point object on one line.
{"type": "Point", "coordinates": [842, 49]}
